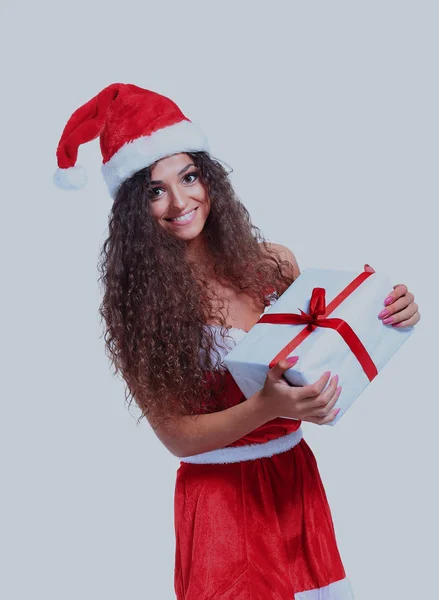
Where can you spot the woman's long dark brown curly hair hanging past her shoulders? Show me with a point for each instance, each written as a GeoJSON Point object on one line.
{"type": "Point", "coordinates": [156, 303]}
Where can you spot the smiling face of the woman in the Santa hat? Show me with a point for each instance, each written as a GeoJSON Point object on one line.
{"type": "Point", "coordinates": [177, 190]}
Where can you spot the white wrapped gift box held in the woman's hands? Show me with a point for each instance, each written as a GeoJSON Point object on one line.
{"type": "Point", "coordinates": [324, 349]}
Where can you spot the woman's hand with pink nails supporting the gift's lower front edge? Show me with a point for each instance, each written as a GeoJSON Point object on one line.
{"type": "Point", "coordinates": [307, 403]}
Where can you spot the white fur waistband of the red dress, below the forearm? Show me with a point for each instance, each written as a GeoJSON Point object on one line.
{"type": "Point", "coordinates": [247, 452]}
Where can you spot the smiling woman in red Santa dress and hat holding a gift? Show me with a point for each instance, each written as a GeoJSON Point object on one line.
{"type": "Point", "coordinates": [185, 275]}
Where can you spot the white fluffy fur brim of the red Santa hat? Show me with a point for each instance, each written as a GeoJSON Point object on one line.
{"type": "Point", "coordinates": [185, 136]}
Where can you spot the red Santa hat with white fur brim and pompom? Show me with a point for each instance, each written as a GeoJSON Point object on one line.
{"type": "Point", "coordinates": [136, 127]}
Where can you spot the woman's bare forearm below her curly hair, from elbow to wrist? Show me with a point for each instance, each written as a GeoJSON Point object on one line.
{"type": "Point", "coordinates": [185, 435]}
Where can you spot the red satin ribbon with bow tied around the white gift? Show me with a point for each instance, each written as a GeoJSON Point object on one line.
{"type": "Point", "coordinates": [317, 317]}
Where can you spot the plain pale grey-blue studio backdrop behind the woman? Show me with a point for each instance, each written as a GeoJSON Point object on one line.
{"type": "Point", "coordinates": [327, 112]}
